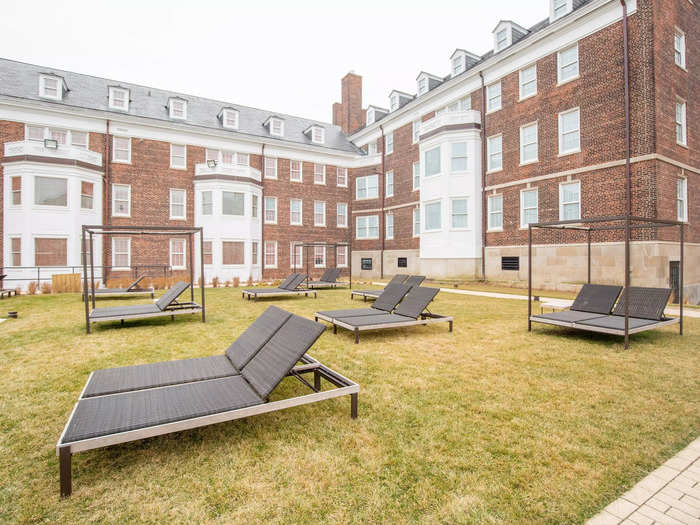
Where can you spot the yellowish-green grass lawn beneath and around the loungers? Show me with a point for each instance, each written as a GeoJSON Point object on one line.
{"type": "Point", "coordinates": [488, 424]}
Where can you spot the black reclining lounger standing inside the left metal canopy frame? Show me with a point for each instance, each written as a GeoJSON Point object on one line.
{"type": "Point", "coordinates": [167, 305]}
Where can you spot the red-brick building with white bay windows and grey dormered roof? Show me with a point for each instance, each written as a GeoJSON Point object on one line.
{"type": "Point", "coordinates": [441, 182]}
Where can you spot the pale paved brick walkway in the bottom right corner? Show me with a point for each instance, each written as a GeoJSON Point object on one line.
{"type": "Point", "coordinates": [669, 495]}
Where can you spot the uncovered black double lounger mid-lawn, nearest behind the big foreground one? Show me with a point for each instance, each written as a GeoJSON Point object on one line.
{"type": "Point", "coordinates": [412, 311]}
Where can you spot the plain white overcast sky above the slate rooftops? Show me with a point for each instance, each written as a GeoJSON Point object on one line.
{"type": "Point", "coordinates": [285, 56]}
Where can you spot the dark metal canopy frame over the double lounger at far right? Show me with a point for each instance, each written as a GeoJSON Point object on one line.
{"type": "Point", "coordinates": [609, 223]}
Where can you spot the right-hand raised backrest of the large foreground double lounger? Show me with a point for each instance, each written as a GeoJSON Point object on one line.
{"type": "Point", "coordinates": [277, 357]}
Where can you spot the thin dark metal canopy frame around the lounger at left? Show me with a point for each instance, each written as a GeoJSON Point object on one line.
{"type": "Point", "coordinates": [89, 231]}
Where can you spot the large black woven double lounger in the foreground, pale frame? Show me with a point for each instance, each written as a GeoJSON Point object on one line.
{"type": "Point", "coordinates": [253, 371]}
